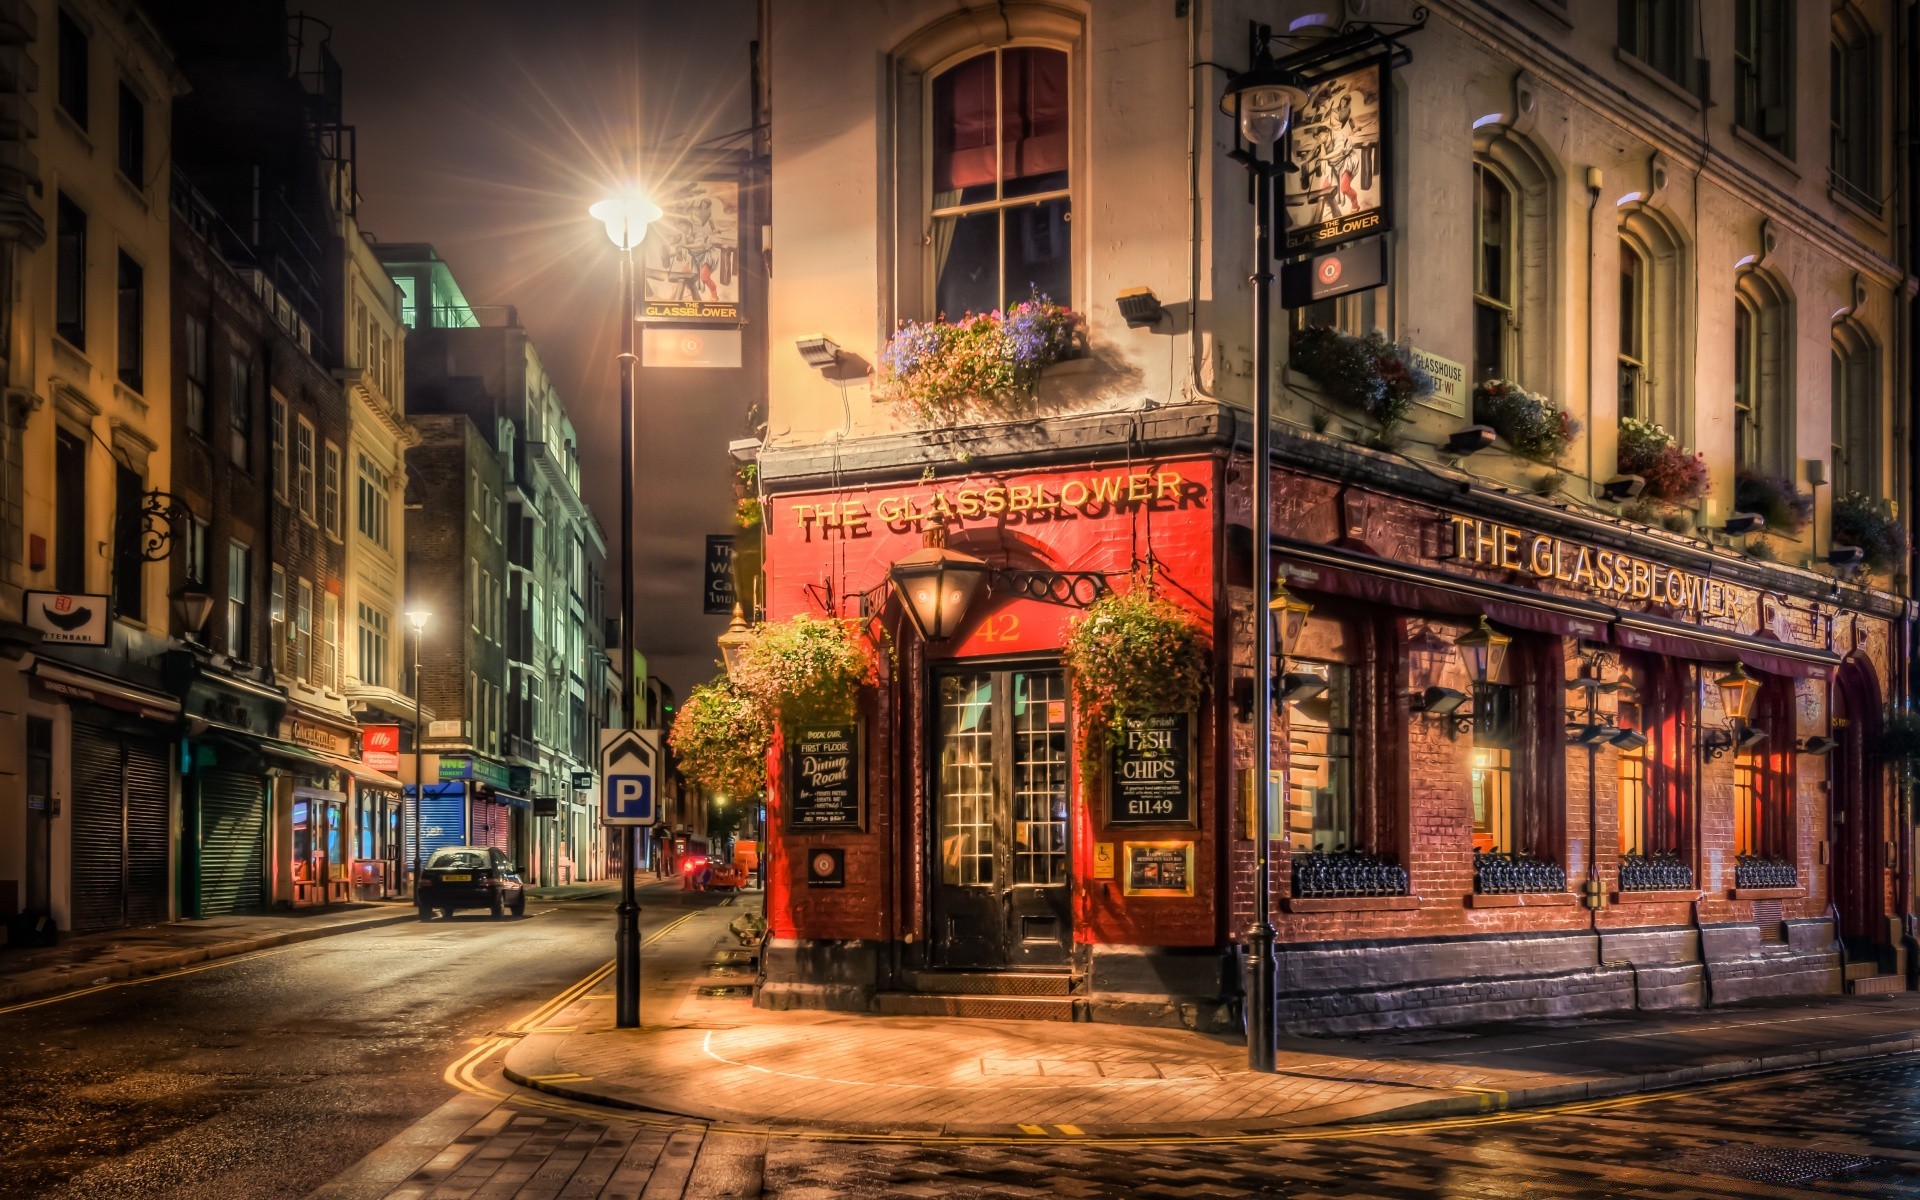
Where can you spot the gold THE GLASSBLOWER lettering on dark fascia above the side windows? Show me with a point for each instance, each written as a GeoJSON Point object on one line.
{"type": "Point", "coordinates": [1600, 571]}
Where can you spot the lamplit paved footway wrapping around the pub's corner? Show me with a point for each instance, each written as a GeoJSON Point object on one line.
{"type": "Point", "coordinates": [706, 1053]}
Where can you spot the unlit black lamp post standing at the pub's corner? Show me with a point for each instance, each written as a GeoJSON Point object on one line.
{"type": "Point", "coordinates": [1262, 103]}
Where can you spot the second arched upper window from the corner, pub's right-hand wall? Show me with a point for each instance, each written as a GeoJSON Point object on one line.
{"type": "Point", "coordinates": [1652, 318]}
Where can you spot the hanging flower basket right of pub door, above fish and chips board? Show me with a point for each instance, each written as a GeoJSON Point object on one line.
{"type": "Point", "coordinates": [1132, 656]}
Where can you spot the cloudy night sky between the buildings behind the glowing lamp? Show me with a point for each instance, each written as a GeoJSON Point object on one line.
{"type": "Point", "coordinates": [487, 128]}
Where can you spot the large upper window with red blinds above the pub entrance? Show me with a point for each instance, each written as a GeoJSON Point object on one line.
{"type": "Point", "coordinates": [1001, 208]}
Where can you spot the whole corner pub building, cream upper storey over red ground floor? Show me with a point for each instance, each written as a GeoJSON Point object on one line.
{"type": "Point", "coordinates": [1539, 750]}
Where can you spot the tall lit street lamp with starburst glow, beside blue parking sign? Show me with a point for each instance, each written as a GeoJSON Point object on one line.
{"type": "Point", "coordinates": [627, 218]}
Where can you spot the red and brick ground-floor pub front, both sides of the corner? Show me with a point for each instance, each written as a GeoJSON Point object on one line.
{"type": "Point", "coordinates": [1529, 761]}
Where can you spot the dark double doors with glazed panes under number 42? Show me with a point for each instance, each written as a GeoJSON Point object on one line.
{"type": "Point", "coordinates": [1003, 769]}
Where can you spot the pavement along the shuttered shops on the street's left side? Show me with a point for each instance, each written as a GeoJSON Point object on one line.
{"type": "Point", "coordinates": [120, 955]}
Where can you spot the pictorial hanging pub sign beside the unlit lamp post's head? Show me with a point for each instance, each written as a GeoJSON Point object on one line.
{"type": "Point", "coordinates": [1339, 189]}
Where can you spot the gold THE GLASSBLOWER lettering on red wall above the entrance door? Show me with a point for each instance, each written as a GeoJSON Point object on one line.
{"type": "Point", "coordinates": [1092, 494]}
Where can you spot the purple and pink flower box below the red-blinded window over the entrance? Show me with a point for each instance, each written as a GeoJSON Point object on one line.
{"type": "Point", "coordinates": [944, 373]}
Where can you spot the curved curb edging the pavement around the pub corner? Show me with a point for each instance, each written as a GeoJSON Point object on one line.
{"type": "Point", "coordinates": [1349, 1115]}
